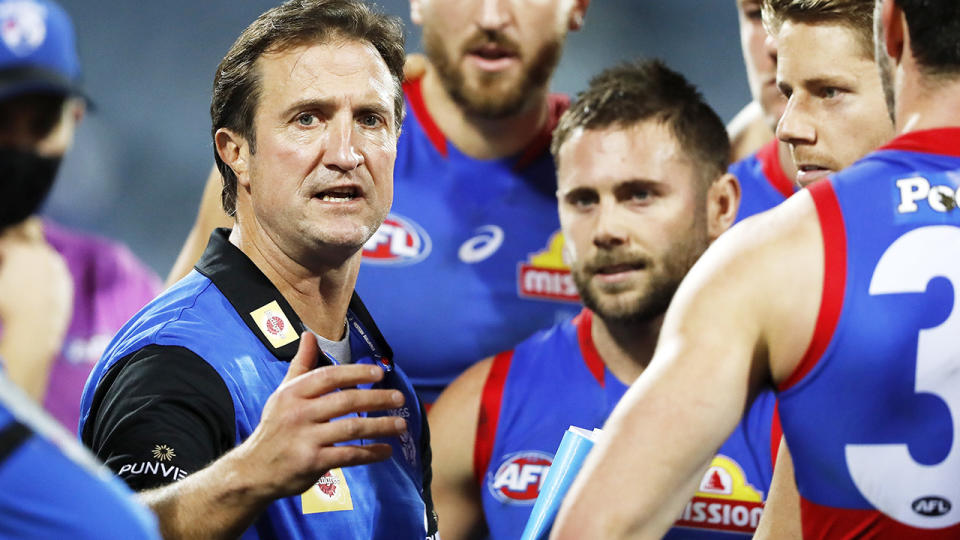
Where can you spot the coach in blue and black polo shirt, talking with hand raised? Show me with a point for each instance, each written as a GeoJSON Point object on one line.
{"type": "Point", "coordinates": [210, 392]}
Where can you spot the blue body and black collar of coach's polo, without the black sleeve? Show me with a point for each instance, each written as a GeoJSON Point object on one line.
{"type": "Point", "coordinates": [251, 353]}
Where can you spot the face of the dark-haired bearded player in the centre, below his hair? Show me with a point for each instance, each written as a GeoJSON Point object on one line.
{"type": "Point", "coordinates": [633, 212]}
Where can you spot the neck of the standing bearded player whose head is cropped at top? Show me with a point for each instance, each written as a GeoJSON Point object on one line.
{"type": "Point", "coordinates": [478, 137]}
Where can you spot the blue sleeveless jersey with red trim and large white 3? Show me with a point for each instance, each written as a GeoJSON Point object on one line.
{"type": "Point", "coordinates": [872, 413]}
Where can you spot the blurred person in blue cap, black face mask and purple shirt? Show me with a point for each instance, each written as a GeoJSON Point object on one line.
{"type": "Point", "coordinates": [62, 294]}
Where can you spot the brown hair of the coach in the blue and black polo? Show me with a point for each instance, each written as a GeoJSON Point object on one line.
{"type": "Point", "coordinates": [236, 87]}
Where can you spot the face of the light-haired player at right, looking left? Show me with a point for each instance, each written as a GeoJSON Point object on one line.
{"type": "Point", "coordinates": [836, 111]}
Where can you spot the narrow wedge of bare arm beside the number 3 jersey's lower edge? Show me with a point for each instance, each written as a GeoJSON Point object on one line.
{"type": "Point", "coordinates": [781, 511]}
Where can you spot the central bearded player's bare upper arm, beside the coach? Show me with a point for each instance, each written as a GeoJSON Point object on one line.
{"type": "Point", "coordinates": [453, 422]}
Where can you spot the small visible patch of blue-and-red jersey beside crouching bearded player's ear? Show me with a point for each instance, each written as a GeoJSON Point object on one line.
{"type": "Point", "coordinates": [762, 182]}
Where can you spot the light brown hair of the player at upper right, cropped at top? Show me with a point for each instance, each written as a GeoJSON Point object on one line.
{"type": "Point", "coordinates": [857, 15]}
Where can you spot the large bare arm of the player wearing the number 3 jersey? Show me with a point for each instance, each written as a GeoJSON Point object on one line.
{"type": "Point", "coordinates": [718, 345]}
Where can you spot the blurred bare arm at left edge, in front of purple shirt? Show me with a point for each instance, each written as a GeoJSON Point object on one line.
{"type": "Point", "coordinates": [36, 304]}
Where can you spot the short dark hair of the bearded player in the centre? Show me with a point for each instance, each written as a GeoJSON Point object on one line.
{"type": "Point", "coordinates": [633, 92]}
